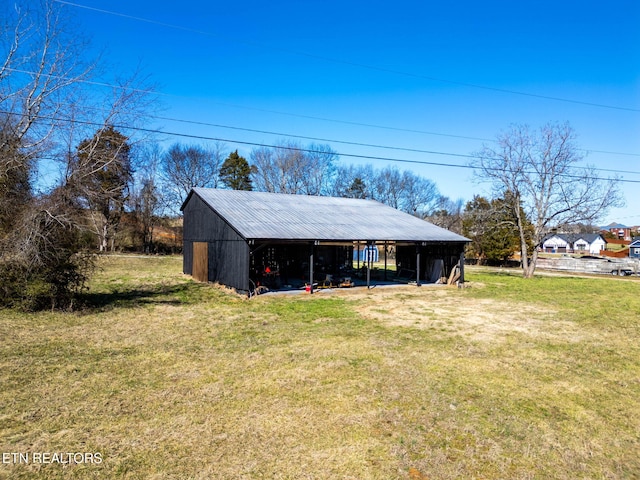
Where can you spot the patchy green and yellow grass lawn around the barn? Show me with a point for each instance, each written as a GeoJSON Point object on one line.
{"type": "Point", "coordinates": [167, 378]}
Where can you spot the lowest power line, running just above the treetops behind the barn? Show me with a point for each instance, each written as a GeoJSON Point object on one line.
{"type": "Point", "coordinates": [305, 150]}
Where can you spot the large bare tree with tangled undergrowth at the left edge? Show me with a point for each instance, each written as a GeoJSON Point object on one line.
{"type": "Point", "coordinates": [48, 106]}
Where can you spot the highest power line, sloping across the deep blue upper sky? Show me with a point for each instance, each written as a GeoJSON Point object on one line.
{"type": "Point", "coordinates": [356, 64]}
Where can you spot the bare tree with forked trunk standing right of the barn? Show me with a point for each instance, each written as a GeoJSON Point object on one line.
{"type": "Point", "coordinates": [541, 170]}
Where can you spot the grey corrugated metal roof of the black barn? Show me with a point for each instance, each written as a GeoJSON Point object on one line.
{"type": "Point", "coordinates": [261, 215]}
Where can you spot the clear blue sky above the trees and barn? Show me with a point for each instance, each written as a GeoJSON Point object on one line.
{"type": "Point", "coordinates": [423, 75]}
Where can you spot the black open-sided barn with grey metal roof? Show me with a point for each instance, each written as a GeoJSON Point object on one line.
{"type": "Point", "coordinates": [245, 239]}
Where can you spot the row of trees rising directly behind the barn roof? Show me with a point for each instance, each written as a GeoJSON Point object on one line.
{"type": "Point", "coordinates": [289, 167]}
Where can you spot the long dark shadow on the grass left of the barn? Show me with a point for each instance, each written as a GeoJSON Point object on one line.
{"type": "Point", "coordinates": [178, 294]}
